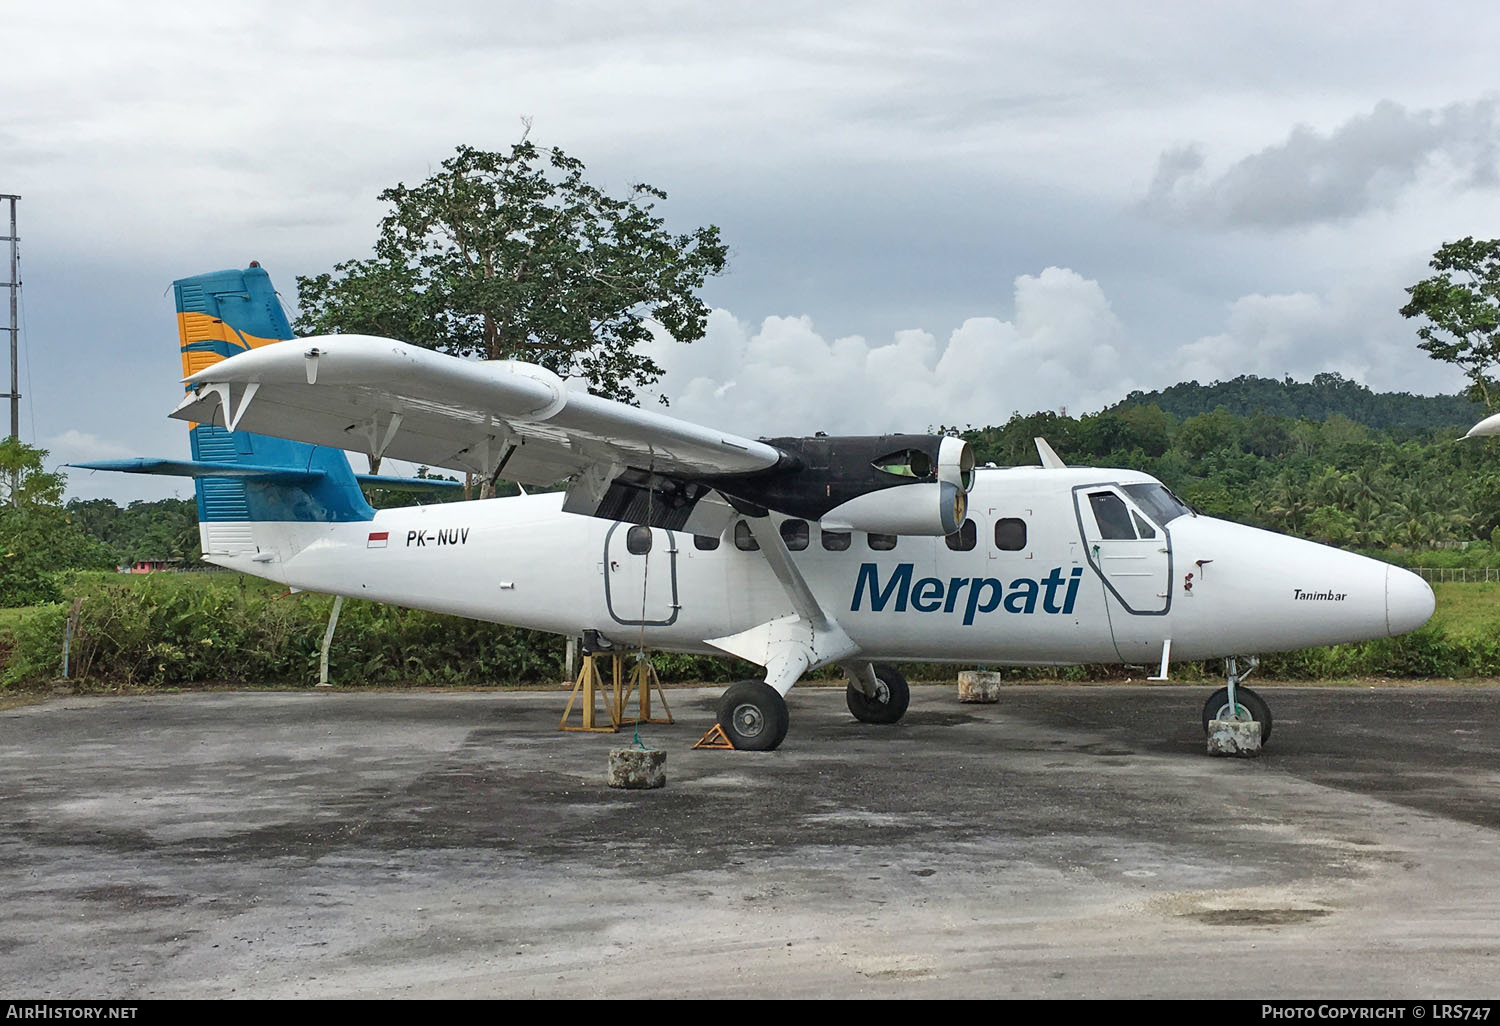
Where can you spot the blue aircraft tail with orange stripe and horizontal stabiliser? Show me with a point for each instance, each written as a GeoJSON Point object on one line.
{"type": "Point", "coordinates": [245, 479]}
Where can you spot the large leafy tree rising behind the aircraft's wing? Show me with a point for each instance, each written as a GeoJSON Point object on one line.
{"type": "Point", "coordinates": [515, 256]}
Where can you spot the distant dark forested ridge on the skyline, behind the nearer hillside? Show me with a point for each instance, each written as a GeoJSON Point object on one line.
{"type": "Point", "coordinates": [1319, 400]}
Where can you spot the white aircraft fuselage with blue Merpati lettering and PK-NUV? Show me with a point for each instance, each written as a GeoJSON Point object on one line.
{"type": "Point", "coordinates": [1061, 566]}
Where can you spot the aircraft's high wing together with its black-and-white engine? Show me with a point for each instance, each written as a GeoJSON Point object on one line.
{"type": "Point", "coordinates": [520, 422]}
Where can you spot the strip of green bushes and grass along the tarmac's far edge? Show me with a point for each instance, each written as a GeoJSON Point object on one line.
{"type": "Point", "coordinates": [220, 628]}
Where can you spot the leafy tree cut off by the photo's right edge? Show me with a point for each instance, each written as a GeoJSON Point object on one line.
{"type": "Point", "coordinates": [1463, 310]}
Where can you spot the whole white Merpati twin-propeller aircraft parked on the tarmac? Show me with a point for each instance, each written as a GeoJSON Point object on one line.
{"type": "Point", "coordinates": [788, 553]}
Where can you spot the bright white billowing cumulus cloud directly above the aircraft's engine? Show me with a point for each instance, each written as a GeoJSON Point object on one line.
{"type": "Point", "coordinates": [1061, 349]}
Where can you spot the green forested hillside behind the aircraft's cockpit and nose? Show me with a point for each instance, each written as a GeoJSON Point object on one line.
{"type": "Point", "coordinates": [1328, 461]}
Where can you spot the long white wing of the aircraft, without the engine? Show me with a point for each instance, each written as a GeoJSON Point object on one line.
{"type": "Point", "coordinates": [497, 419]}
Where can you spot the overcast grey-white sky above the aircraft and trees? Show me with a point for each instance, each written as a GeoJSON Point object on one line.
{"type": "Point", "coordinates": [938, 214]}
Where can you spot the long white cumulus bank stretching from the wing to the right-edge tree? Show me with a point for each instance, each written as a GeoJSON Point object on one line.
{"type": "Point", "coordinates": [1061, 349]}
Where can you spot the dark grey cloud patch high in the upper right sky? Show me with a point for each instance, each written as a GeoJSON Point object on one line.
{"type": "Point", "coordinates": [1313, 178]}
